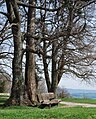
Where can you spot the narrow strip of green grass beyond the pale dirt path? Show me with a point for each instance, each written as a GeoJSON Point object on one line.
{"type": "Point", "coordinates": [79, 100]}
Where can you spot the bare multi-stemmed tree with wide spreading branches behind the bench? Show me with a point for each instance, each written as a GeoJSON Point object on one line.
{"type": "Point", "coordinates": [68, 44]}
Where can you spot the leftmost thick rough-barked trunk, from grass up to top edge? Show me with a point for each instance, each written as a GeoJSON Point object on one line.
{"type": "Point", "coordinates": [17, 87]}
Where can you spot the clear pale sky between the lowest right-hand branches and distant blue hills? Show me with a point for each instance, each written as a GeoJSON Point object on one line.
{"type": "Point", "coordinates": [74, 83]}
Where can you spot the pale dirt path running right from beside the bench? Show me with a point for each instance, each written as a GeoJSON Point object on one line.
{"type": "Point", "coordinates": [73, 104]}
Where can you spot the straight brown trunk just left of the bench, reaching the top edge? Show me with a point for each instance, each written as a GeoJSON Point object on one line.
{"type": "Point", "coordinates": [30, 79]}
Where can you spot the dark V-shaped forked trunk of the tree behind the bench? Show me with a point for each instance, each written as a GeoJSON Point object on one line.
{"type": "Point", "coordinates": [51, 84]}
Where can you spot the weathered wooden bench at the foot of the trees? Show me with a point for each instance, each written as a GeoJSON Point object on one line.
{"type": "Point", "coordinates": [47, 100]}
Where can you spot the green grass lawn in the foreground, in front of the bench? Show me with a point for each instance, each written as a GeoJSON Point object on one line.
{"type": "Point", "coordinates": [54, 113]}
